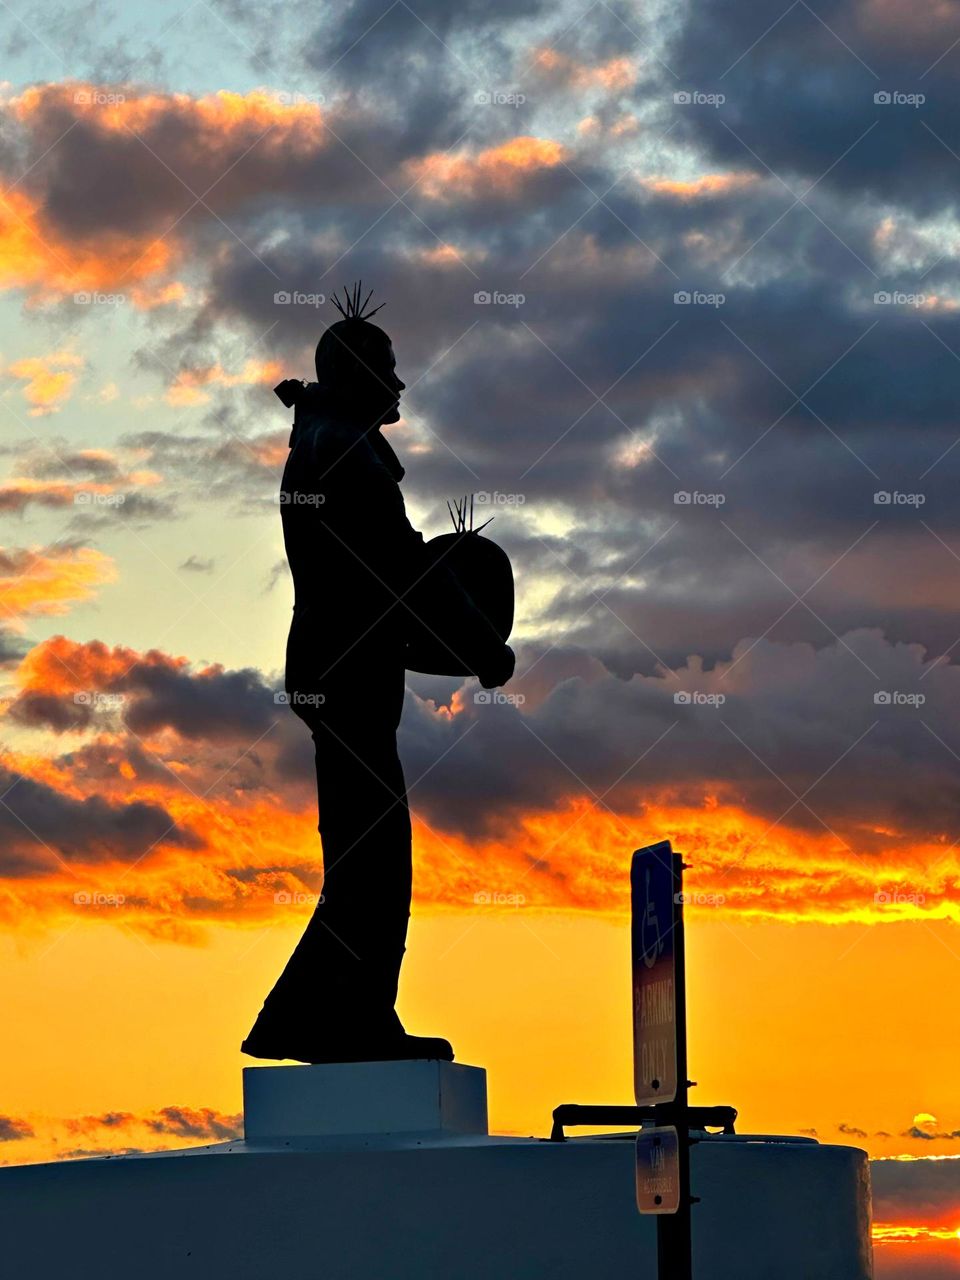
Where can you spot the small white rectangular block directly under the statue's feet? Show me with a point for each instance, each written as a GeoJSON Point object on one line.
{"type": "Point", "coordinates": [339, 1099]}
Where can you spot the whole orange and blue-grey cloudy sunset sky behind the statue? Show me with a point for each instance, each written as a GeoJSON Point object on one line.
{"type": "Point", "coordinates": [676, 292]}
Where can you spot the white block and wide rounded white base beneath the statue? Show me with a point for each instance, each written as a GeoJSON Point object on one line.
{"type": "Point", "coordinates": [385, 1172]}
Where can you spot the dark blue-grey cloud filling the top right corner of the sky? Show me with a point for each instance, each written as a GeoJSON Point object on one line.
{"type": "Point", "coordinates": [801, 92]}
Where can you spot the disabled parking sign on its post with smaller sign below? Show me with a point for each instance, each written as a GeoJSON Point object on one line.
{"type": "Point", "coordinates": [660, 1053]}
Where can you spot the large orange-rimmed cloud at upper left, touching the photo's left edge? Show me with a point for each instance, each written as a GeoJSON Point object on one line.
{"type": "Point", "coordinates": [121, 127]}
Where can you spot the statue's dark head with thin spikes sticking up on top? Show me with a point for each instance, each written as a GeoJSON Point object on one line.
{"type": "Point", "coordinates": [356, 367]}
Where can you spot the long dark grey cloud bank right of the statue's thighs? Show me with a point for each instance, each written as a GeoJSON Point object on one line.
{"type": "Point", "coordinates": [794, 719]}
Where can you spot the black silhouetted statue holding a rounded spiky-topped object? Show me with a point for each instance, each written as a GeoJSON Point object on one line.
{"type": "Point", "coordinates": [372, 598]}
